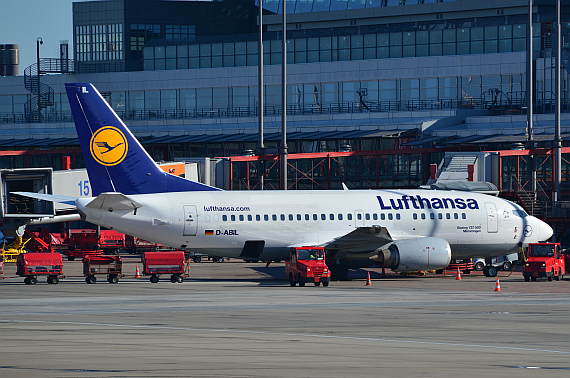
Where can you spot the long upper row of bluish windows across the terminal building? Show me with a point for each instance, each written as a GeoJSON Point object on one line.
{"type": "Point", "coordinates": [439, 42]}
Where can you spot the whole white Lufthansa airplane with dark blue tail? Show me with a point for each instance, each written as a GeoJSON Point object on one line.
{"type": "Point", "coordinates": [405, 230]}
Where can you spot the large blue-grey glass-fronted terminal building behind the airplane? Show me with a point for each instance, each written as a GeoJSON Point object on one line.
{"type": "Point", "coordinates": [387, 83]}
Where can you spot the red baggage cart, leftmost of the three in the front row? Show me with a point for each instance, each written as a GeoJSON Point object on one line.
{"type": "Point", "coordinates": [32, 265]}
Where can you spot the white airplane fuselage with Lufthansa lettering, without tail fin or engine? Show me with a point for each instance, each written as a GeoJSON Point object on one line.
{"type": "Point", "coordinates": [219, 223]}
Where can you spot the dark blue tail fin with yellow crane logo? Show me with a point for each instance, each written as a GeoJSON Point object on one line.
{"type": "Point", "coordinates": [115, 160]}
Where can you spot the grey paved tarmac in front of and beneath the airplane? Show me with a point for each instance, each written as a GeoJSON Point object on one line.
{"type": "Point", "coordinates": [237, 319]}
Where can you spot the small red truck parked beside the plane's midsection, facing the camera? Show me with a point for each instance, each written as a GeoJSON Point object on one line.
{"type": "Point", "coordinates": [307, 264]}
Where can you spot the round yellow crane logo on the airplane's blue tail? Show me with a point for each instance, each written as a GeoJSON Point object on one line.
{"type": "Point", "coordinates": [109, 146]}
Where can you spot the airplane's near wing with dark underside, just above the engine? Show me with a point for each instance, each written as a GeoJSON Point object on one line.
{"type": "Point", "coordinates": [363, 242]}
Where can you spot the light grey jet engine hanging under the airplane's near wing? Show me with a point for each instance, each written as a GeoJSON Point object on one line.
{"type": "Point", "coordinates": [412, 255]}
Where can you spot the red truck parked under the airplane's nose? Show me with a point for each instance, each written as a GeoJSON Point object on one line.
{"type": "Point", "coordinates": [544, 260]}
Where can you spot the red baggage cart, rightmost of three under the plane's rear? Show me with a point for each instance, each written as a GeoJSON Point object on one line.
{"type": "Point", "coordinates": [157, 263]}
